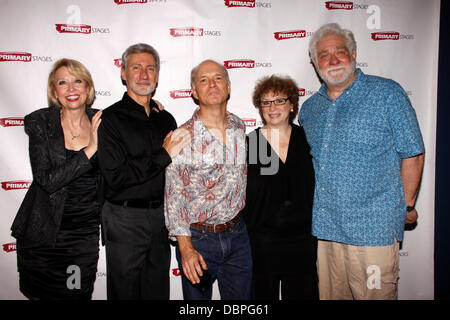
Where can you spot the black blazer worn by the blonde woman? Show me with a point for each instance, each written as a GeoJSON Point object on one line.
{"type": "Point", "coordinates": [38, 219]}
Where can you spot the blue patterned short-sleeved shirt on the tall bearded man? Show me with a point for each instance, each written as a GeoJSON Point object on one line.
{"type": "Point", "coordinates": [357, 143]}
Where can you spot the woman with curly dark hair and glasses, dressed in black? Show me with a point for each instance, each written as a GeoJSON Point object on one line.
{"type": "Point", "coordinates": [280, 187]}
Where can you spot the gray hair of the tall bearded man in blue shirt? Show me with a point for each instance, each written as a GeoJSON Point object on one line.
{"type": "Point", "coordinates": [331, 29]}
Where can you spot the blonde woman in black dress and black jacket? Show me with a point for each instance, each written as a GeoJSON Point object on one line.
{"type": "Point", "coordinates": [57, 226]}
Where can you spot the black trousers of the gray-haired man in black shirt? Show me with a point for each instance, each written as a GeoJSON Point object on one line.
{"type": "Point", "coordinates": [137, 253]}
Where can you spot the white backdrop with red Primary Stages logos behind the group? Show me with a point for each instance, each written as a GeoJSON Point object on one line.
{"type": "Point", "coordinates": [396, 39]}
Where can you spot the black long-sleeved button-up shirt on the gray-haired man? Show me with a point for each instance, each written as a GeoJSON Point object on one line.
{"type": "Point", "coordinates": [131, 157]}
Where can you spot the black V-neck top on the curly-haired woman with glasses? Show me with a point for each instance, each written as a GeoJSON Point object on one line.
{"type": "Point", "coordinates": [279, 207]}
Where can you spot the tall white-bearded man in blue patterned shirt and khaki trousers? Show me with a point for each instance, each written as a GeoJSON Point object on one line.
{"type": "Point", "coordinates": [368, 156]}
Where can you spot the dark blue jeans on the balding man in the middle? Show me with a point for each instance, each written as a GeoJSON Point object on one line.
{"type": "Point", "coordinates": [228, 257]}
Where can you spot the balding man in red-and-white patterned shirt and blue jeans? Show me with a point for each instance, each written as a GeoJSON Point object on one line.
{"type": "Point", "coordinates": [205, 193]}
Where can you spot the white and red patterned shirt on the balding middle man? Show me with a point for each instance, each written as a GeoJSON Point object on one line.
{"type": "Point", "coordinates": [206, 182]}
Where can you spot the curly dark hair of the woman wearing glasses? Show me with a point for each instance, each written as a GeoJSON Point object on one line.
{"type": "Point", "coordinates": [278, 85]}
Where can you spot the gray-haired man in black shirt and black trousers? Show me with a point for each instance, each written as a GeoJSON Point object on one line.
{"type": "Point", "coordinates": [136, 143]}
